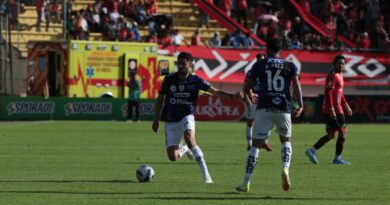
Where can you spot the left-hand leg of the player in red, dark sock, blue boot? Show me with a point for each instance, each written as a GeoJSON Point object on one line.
{"type": "Point", "coordinates": [331, 129]}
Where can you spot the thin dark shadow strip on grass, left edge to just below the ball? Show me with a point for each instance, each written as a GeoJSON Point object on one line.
{"type": "Point", "coordinates": [119, 181]}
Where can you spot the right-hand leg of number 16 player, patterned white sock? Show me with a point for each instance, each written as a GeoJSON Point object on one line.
{"type": "Point", "coordinates": [284, 129]}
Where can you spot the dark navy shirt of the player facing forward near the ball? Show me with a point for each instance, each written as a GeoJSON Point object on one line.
{"type": "Point", "coordinates": [180, 96]}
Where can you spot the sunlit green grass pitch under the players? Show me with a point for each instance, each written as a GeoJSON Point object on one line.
{"type": "Point", "coordinates": [87, 162]}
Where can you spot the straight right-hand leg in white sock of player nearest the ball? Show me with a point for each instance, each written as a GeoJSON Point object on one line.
{"type": "Point", "coordinates": [188, 126]}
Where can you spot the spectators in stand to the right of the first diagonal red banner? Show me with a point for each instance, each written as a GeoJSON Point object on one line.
{"type": "Point", "coordinates": [360, 21]}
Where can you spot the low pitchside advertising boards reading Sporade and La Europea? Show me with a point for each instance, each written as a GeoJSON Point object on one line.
{"type": "Point", "coordinates": [366, 108]}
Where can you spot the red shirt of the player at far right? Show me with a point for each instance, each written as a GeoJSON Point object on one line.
{"type": "Point", "coordinates": [334, 81]}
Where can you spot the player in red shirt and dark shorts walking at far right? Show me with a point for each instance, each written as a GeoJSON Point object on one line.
{"type": "Point", "coordinates": [333, 108]}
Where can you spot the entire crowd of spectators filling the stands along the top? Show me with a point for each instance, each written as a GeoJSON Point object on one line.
{"type": "Point", "coordinates": [361, 21]}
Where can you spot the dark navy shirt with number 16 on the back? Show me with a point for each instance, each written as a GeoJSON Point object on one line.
{"type": "Point", "coordinates": [273, 76]}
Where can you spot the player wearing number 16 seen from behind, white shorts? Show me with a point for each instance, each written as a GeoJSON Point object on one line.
{"type": "Point", "coordinates": [273, 109]}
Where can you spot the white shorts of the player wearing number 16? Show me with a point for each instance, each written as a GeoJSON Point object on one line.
{"type": "Point", "coordinates": [265, 121]}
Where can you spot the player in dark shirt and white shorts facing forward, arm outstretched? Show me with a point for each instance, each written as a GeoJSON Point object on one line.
{"type": "Point", "coordinates": [177, 98]}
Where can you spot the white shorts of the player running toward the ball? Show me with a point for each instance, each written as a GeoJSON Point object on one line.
{"type": "Point", "coordinates": [174, 131]}
